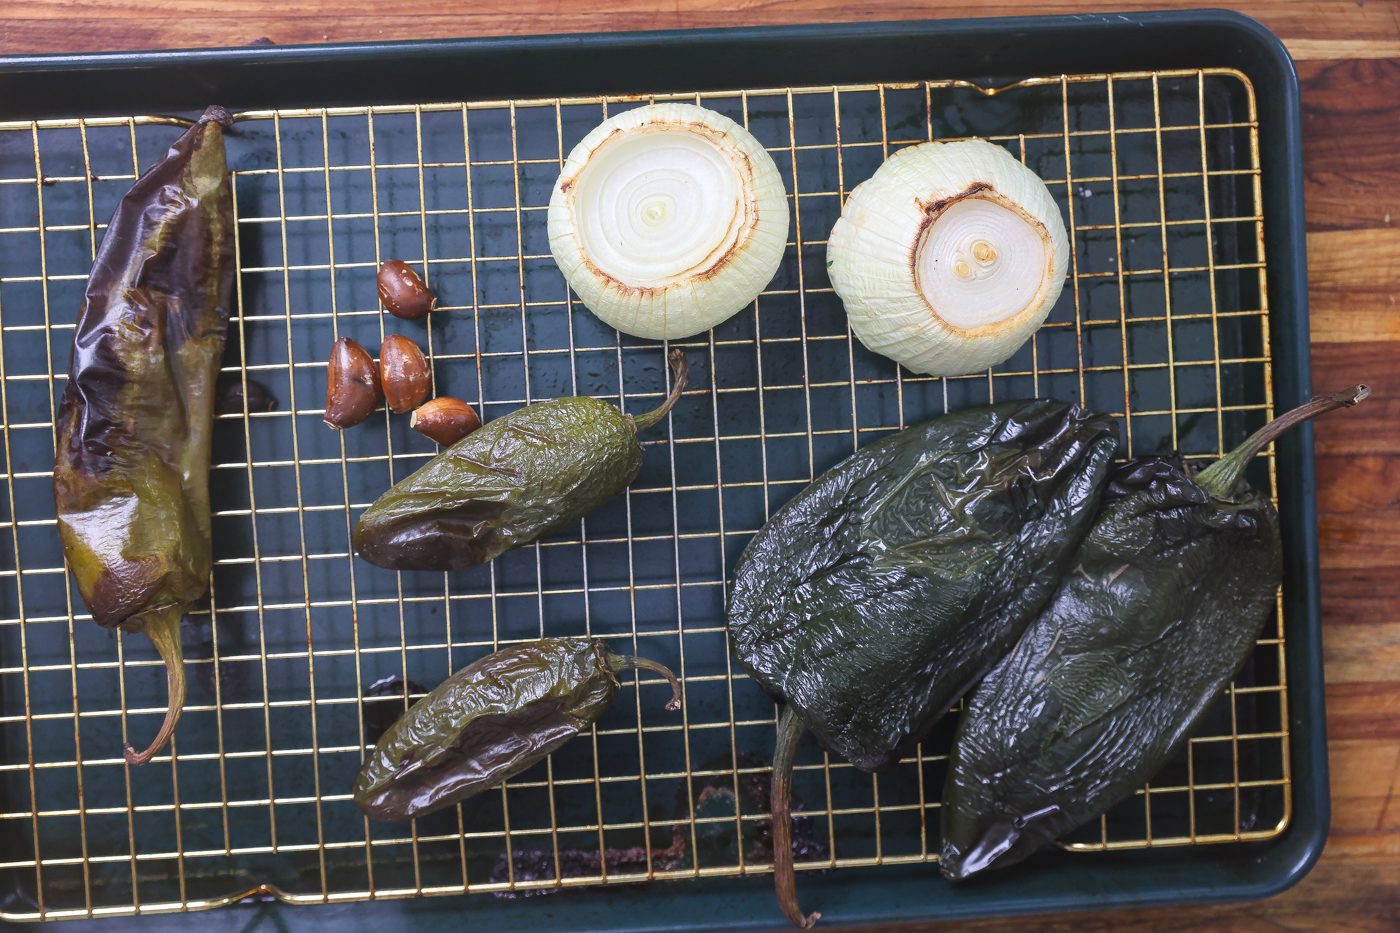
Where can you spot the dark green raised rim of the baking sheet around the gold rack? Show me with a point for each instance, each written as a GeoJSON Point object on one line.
{"type": "Point", "coordinates": [988, 51]}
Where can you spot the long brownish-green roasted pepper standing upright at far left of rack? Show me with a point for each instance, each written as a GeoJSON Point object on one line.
{"type": "Point", "coordinates": [131, 473]}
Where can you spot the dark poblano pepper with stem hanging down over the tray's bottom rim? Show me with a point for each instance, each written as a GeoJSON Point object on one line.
{"type": "Point", "coordinates": [885, 589]}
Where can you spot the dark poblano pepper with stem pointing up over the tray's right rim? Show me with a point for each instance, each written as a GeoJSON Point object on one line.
{"type": "Point", "coordinates": [1163, 603]}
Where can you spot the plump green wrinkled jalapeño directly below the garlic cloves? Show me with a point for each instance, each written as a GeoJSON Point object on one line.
{"type": "Point", "coordinates": [509, 483]}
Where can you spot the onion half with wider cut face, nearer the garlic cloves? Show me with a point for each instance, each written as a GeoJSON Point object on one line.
{"type": "Point", "coordinates": [668, 221]}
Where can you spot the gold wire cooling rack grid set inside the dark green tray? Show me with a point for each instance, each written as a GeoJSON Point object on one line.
{"type": "Point", "coordinates": [1164, 324]}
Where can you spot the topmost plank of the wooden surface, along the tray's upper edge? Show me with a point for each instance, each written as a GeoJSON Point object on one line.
{"type": "Point", "coordinates": [1328, 32]}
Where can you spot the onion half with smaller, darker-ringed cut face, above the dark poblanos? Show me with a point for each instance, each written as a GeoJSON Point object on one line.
{"type": "Point", "coordinates": [950, 257]}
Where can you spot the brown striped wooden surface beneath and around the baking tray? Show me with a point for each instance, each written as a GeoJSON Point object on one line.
{"type": "Point", "coordinates": [1349, 58]}
